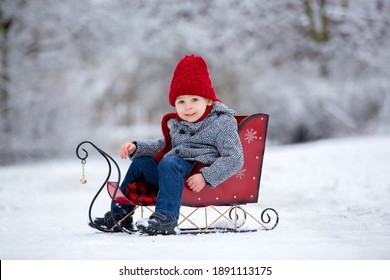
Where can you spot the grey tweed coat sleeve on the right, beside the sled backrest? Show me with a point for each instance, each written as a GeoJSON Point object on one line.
{"type": "Point", "coordinates": [231, 157]}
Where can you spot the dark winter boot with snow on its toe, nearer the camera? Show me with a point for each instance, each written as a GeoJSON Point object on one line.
{"type": "Point", "coordinates": [158, 223]}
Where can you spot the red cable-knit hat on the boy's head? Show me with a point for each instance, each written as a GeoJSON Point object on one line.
{"type": "Point", "coordinates": [191, 77]}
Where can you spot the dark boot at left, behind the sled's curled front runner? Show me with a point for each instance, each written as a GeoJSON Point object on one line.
{"type": "Point", "coordinates": [107, 223]}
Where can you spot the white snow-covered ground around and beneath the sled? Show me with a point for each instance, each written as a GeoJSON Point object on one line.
{"type": "Point", "coordinates": [332, 197]}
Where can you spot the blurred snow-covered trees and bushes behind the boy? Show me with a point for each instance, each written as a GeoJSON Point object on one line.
{"type": "Point", "coordinates": [100, 70]}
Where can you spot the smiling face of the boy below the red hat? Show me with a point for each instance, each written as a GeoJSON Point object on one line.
{"type": "Point", "coordinates": [191, 107]}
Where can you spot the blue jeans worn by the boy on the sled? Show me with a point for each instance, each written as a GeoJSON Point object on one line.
{"type": "Point", "coordinates": [168, 177]}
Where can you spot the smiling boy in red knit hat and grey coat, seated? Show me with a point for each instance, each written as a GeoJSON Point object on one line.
{"type": "Point", "coordinates": [203, 130]}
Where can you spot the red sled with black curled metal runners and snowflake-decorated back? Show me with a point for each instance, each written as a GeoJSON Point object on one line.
{"type": "Point", "coordinates": [223, 206]}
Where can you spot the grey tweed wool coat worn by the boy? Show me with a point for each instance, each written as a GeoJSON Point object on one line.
{"type": "Point", "coordinates": [214, 141]}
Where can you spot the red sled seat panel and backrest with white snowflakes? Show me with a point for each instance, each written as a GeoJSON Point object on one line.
{"type": "Point", "coordinates": [243, 187]}
